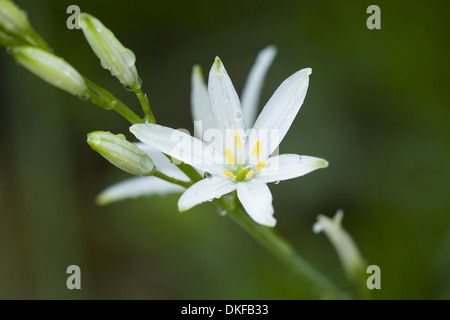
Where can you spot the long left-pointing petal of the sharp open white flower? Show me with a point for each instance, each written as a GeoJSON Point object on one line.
{"type": "Point", "coordinates": [180, 146]}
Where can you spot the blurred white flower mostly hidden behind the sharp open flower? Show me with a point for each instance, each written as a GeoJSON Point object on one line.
{"type": "Point", "coordinates": [201, 114]}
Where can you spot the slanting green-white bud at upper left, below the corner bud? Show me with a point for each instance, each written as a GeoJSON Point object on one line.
{"type": "Point", "coordinates": [51, 68]}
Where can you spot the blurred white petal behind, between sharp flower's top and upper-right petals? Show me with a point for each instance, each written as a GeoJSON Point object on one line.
{"type": "Point", "coordinates": [255, 81]}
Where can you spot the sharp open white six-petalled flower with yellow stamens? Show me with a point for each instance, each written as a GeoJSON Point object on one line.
{"type": "Point", "coordinates": [244, 163]}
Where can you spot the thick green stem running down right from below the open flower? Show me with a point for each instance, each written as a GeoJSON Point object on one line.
{"type": "Point", "coordinates": [282, 250]}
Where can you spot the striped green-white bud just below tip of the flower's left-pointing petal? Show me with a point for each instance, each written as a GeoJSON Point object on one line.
{"type": "Point", "coordinates": [121, 153]}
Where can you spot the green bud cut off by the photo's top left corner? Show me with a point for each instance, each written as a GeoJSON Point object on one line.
{"type": "Point", "coordinates": [12, 19]}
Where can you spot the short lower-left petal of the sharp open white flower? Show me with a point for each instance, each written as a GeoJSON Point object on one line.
{"type": "Point", "coordinates": [205, 190]}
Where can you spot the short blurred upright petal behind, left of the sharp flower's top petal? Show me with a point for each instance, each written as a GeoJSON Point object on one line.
{"type": "Point", "coordinates": [200, 108]}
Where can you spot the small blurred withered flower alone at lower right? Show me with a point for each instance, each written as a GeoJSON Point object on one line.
{"type": "Point", "coordinates": [349, 255]}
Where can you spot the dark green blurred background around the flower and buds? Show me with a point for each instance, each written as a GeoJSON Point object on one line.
{"type": "Point", "coordinates": [377, 109]}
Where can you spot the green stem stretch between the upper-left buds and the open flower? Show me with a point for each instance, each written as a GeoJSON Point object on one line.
{"type": "Point", "coordinates": [106, 100]}
